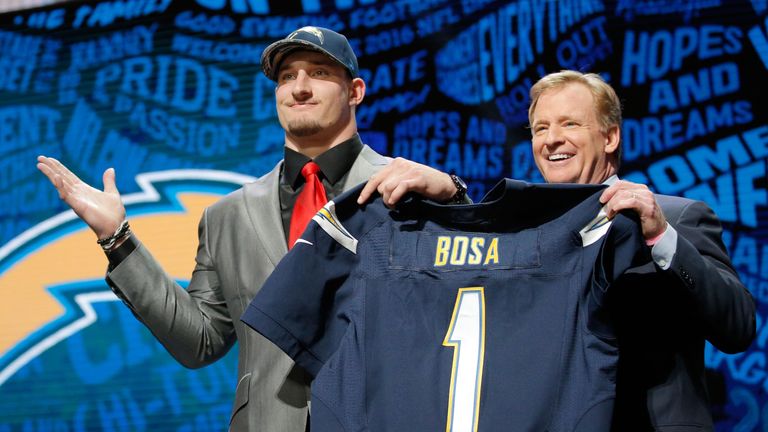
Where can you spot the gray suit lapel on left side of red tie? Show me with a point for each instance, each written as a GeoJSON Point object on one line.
{"type": "Point", "coordinates": [262, 202]}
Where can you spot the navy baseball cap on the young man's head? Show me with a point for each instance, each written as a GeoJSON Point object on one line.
{"type": "Point", "coordinates": [319, 39]}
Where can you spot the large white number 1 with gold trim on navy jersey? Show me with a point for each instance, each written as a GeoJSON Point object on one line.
{"type": "Point", "coordinates": [466, 334]}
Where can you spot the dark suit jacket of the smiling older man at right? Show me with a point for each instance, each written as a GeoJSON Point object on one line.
{"type": "Point", "coordinates": [663, 318]}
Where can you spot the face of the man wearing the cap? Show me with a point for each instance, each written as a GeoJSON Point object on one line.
{"type": "Point", "coordinates": [313, 95]}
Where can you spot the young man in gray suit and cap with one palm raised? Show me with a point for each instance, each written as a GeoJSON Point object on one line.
{"type": "Point", "coordinates": [244, 235]}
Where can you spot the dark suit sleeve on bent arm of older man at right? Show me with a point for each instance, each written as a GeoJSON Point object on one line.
{"type": "Point", "coordinates": [702, 267]}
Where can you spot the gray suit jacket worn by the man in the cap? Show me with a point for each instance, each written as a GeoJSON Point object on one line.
{"type": "Point", "coordinates": [241, 241]}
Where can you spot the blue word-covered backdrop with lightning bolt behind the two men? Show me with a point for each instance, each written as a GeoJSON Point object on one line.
{"type": "Point", "coordinates": [156, 85]}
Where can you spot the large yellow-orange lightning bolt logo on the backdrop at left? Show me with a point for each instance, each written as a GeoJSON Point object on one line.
{"type": "Point", "coordinates": [41, 269]}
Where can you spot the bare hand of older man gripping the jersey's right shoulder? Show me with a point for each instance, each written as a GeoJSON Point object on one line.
{"type": "Point", "coordinates": [625, 195]}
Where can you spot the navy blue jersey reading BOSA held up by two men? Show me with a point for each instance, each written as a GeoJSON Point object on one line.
{"type": "Point", "coordinates": [459, 318]}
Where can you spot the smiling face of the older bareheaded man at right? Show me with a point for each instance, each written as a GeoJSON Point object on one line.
{"type": "Point", "coordinates": [569, 146]}
